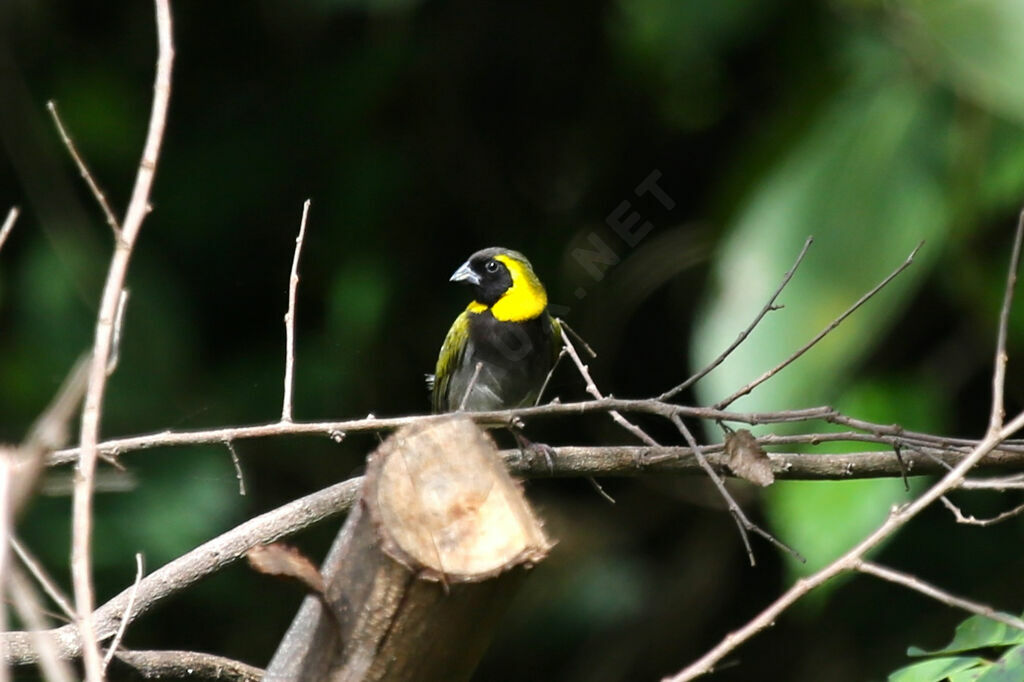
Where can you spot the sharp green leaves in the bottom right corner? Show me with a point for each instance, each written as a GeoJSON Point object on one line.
{"type": "Point", "coordinates": [997, 655]}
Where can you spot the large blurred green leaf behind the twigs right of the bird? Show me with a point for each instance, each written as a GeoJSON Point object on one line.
{"type": "Point", "coordinates": [861, 185]}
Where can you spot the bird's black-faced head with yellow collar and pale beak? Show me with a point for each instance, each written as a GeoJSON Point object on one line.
{"type": "Point", "coordinates": [504, 282]}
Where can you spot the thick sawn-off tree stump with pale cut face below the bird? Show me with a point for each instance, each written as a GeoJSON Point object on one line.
{"type": "Point", "coordinates": [420, 574]}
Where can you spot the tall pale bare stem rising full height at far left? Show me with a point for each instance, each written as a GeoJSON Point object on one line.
{"type": "Point", "coordinates": [139, 207]}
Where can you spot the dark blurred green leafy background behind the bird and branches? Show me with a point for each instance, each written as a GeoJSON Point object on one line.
{"type": "Point", "coordinates": [426, 131]}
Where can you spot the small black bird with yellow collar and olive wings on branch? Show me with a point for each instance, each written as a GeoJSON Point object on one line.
{"type": "Point", "coordinates": [506, 331]}
